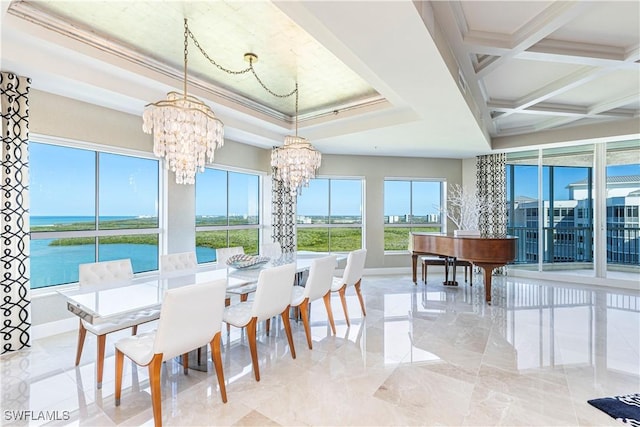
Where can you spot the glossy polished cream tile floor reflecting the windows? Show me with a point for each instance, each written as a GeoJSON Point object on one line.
{"type": "Point", "coordinates": [423, 355]}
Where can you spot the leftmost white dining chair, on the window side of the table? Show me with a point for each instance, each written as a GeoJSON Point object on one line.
{"type": "Point", "coordinates": [108, 272]}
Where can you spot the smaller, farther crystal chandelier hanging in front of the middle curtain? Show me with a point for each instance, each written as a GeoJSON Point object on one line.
{"type": "Point", "coordinates": [296, 161]}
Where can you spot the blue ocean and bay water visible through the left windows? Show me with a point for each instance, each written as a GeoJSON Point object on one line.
{"type": "Point", "coordinates": [54, 265]}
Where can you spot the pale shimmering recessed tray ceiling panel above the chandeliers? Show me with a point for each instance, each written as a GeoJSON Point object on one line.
{"type": "Point", "coordinates": [225, 30]}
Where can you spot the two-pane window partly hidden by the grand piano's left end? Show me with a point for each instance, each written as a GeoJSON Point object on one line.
{"type": "Point", "coordinates": [410, 205]}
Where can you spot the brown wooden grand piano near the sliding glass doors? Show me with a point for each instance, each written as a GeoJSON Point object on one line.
{"type": "Point", "coordinates": [485, 252]}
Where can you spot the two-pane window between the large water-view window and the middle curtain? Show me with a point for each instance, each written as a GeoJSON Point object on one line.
{"type": "Point", "coordinates": [227, 212]}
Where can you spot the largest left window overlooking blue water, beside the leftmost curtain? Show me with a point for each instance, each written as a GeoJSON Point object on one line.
{"type": "Point", "coordinates": [86, 206]}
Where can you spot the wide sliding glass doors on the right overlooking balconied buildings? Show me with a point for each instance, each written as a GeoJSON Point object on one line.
{"type": "Point", "coordinates": [576, 209]}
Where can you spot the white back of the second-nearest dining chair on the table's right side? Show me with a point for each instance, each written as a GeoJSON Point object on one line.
{"type": "Point", "coordinates": [273, 292]}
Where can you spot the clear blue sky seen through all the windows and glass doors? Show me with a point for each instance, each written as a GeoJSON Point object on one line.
{"type": "Point", "coordinates": [62, 182]}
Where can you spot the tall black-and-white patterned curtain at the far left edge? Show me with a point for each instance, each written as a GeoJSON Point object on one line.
{"type": "Point", "coordinates": [16, 295]}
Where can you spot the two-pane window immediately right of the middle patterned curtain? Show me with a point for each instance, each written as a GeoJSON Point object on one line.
{"type": "Point", "coordinates": [329, 215]}
